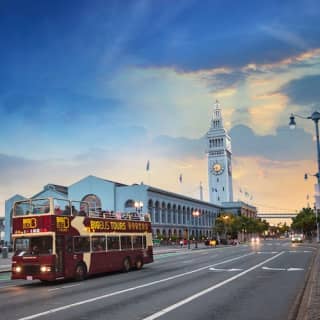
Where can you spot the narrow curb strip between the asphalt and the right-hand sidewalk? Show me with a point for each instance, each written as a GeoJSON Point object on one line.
{"type": "Point", "coordinates": [302, 301]}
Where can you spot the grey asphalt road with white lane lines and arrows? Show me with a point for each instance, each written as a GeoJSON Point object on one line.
{"type": "Point", "coordinates": [258, 281]}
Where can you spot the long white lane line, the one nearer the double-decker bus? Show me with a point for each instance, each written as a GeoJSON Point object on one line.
{"type": "Point", "coordinates": [72, 305]}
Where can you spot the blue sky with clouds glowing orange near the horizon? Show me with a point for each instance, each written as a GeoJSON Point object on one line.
{"type": "Point", "coordinates": [101, 87]}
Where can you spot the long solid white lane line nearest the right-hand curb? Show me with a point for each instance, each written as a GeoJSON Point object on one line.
{"type": "Point", "coordinates": [201, 293]}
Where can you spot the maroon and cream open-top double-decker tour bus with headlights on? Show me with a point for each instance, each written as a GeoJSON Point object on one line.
{"type": "Point", "coordinates": [60, 239]}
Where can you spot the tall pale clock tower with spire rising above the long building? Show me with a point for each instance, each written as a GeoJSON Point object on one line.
{"type": "Point", "coordinates": [219, 160]}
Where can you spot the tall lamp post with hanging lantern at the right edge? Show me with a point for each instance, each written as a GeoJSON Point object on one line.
{"type": "Point", "coordinates": [315, 117]}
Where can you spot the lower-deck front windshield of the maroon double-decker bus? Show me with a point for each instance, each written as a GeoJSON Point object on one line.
{"type": "Point", "coordinates": [33, 246]}
